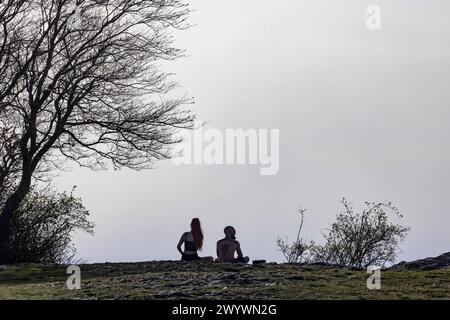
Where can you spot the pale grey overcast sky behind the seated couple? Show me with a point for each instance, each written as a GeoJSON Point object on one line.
{"type": "Point", "coordinates": [362, 114]}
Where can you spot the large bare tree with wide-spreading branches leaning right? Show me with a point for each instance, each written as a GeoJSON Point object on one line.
{"type": "Point", "coordinates": [80, 79]}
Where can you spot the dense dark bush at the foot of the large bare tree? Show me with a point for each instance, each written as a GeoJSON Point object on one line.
{"type": "Point", "coordinates": [43, 226]}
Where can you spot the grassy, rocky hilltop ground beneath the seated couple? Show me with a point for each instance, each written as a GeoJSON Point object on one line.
{"type": "Point", "coordinates": [423, 279]}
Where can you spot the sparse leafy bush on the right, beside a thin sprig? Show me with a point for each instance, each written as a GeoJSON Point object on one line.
{"type": "Point", "coordinates": [362, 239]}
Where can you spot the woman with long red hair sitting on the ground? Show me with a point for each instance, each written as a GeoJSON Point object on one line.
{"type": "Point", "coordinates": [193, 241]}
